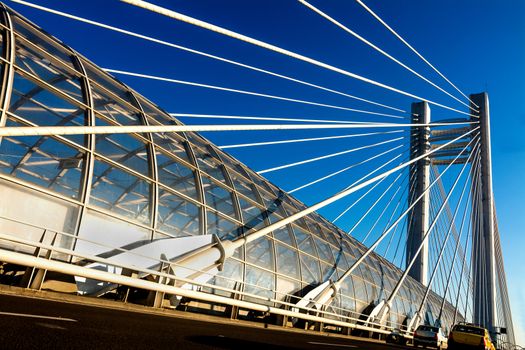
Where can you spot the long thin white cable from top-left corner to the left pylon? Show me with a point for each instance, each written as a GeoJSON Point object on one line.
{"type": "Point", "coordinates": [201, 53]}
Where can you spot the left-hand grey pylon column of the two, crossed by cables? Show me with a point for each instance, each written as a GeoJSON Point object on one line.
{"type": "Point", "coordinates": [419, 145]}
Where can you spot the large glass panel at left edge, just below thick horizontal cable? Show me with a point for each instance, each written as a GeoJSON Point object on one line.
{"type": "Point", "coordinates": [43, 161]}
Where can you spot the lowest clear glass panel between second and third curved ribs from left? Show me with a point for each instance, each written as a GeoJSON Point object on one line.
{"type": "Point", "coordinates": [120, 192]}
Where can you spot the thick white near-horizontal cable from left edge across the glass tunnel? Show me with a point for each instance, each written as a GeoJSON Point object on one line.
{"type": "Point", "coordinates": [126, 129]}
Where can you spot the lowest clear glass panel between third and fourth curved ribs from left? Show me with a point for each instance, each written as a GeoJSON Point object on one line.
{"type": "Point", "coordinates": [177, 216]}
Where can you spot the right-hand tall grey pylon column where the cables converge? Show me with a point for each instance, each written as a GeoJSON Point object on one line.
{"type": "Point", "coordinates": [484, 264]}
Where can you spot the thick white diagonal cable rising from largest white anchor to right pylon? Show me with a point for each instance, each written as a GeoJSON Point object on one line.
{"type": "Point", "coordinates": [346, 192]}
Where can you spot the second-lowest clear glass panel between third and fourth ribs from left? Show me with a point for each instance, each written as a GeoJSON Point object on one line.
{"type": "Point", "coordinates": [177, 176]}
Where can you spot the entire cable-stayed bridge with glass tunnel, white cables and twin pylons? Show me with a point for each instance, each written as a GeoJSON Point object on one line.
{"type": "Point", "coordinates": [104, 193]}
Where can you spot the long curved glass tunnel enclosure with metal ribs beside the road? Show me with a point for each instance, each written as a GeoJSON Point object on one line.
{"type": "Point", "coordinates": [99, 195]}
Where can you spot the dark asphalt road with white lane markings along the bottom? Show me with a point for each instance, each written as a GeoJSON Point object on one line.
{"type": "Point", "coordinates": [31, 323]}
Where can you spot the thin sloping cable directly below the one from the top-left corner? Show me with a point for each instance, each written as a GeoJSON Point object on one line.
{"type": "Point", "coordinates": [250, 93]}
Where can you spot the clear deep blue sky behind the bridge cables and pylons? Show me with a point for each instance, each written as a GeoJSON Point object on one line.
{"type": "Point", "coordinates": [479, 44]}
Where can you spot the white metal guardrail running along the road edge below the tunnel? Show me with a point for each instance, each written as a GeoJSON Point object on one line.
{"type": "Point", "coordinates": [290, 310]}
